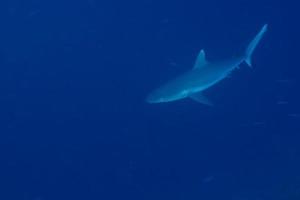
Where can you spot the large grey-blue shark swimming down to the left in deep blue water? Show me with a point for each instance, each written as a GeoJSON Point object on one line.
{"type": "Point", "coordinates": [202, 76]}
